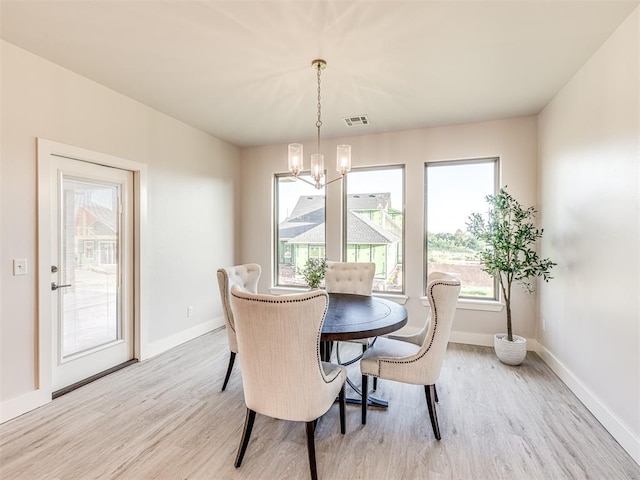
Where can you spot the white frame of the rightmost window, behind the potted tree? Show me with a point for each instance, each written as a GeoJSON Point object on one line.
{"type": "Point", "coordinates": [496, 160]}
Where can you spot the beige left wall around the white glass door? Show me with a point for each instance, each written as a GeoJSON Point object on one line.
{"type": "Point", "coordinates": [192, 180]}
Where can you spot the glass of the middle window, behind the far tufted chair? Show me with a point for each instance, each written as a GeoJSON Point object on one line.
{"type": "Point", "coordinates": [374, 223]}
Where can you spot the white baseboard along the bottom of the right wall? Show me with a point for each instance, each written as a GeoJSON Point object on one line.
{"type": "Point", "coordinates": [623, 435]}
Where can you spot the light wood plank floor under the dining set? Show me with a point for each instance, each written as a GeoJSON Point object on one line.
{"type": "Point", "coordinates": [166, 418]}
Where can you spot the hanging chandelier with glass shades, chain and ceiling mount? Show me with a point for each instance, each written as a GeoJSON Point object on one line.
{"type": "Point", "coordinates": [343, 154]}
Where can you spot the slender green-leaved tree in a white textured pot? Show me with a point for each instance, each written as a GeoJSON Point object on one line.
{"type": "Point", "coordinates": [508, 235]}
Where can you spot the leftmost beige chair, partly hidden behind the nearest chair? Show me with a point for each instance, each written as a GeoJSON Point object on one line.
{"type": "Point", "coordinates": [245, 276]}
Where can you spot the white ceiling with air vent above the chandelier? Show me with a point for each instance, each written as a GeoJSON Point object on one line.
{"type": "Point", "coordinates": [241, 70]}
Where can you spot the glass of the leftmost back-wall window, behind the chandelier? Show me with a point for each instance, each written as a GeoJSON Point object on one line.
{"type": "Point", "coordinates": [299, 232]}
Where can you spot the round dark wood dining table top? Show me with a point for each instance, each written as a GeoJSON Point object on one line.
{"type": "Point", "coordinates": [350, 317]}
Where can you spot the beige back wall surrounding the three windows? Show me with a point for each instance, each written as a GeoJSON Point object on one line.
{"type": "Point", "coordinates": [514, 140]}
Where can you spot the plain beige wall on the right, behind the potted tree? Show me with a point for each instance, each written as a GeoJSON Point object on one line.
{"type": "Point", "coordinates": [589, 192]}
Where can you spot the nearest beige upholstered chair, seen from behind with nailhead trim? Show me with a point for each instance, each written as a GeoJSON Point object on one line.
{"type": "Point", "coordinates": [283, 376]}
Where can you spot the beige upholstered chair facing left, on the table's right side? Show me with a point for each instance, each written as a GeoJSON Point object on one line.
{"type": "Point", "coordinates": [413, 362]}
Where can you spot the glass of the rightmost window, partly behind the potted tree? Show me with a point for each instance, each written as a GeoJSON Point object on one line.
{"type": "Point", "coordinates": [454, 190]}
